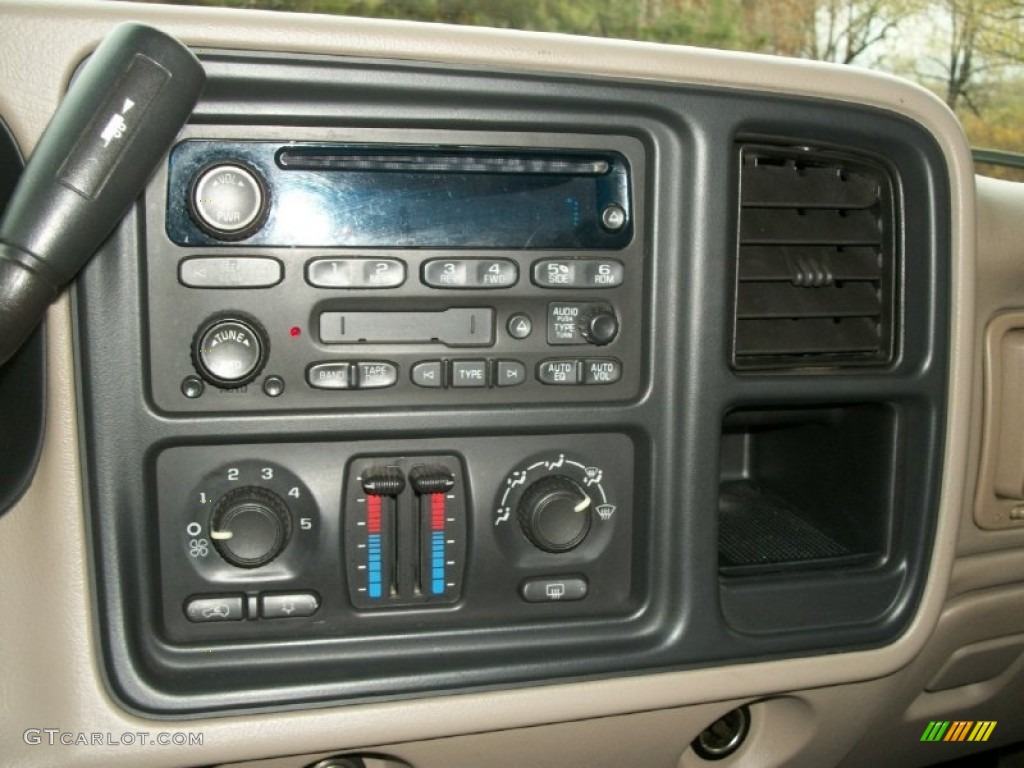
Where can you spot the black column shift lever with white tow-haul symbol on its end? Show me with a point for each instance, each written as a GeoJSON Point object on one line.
{"type": "Point", "coordinates": [118, 120]}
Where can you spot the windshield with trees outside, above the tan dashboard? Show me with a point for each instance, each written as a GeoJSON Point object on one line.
{"type": "Point", "coordinates": [968, 53]}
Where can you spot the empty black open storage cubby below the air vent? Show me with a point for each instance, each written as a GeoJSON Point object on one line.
{"type": "Point", "coordinates": [804, 489]}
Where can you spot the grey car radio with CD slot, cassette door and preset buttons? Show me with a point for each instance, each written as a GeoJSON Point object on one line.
{"type": "Point", "coordinates": [359, 270]}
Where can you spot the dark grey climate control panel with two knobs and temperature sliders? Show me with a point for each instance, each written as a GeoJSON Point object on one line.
{"type": "Point", "coordinates": [416, 534]}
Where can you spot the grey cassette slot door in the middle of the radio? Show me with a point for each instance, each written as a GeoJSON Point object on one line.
{"type": "Point", "coordinates": [454, 328]}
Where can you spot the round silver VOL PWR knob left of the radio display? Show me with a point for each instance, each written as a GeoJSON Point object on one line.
{"type": "Point", "coordinates": [229, 201]}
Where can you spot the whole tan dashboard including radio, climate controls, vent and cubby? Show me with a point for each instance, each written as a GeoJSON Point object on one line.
{"type": "Point", "coordinates": [466, 397]}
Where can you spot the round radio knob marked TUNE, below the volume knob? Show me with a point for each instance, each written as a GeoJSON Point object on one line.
{"type": "Point", "coordinates": [230, 351]}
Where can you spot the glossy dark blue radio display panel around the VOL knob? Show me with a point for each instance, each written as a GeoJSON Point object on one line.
{"type": "Point", "coordinates": [407, 197]}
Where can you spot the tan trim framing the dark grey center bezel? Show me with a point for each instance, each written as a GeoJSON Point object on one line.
{"type": "Point", "coordinates": [53, 674]}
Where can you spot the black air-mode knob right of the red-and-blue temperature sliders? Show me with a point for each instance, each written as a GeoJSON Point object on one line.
{"type": "Point", "coordinates": [556, 514]}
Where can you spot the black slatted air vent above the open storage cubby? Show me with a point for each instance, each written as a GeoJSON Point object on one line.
{"type": "Point", "coordinates": [817, 277]}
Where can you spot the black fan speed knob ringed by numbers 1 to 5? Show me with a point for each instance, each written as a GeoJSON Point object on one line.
{"type": "Point", "coordinates": [251, 527]}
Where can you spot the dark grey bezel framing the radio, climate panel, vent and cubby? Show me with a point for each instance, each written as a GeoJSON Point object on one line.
{"type": "Point", "coordinates": [679, 611]}
